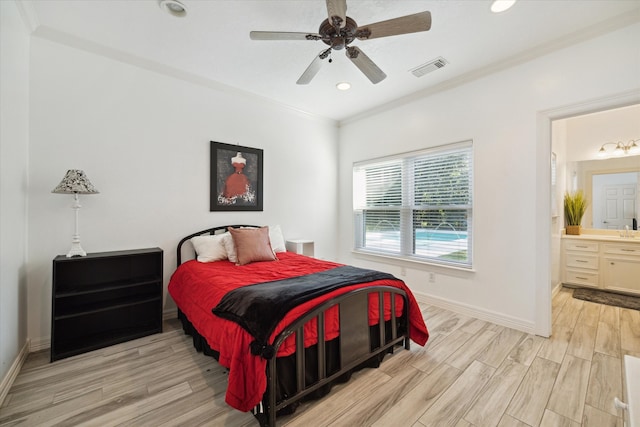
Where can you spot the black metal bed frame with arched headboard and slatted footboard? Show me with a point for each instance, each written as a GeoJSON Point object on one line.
{"type": "Point", "coordinates": [355, 344]}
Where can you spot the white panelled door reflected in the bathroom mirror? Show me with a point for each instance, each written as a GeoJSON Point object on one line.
{"type": "Point", "coordinates": [619, 206]}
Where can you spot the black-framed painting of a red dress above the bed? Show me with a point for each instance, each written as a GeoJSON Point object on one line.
{"type": "Point", "coordinates": [236, 178]}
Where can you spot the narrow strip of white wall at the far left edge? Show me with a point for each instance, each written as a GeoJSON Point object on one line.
{"type": "Point", "coordinates": [14, 140]}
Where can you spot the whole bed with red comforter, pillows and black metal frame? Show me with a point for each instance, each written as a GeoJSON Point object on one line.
{"type": "Point", "coordinates": [286, 326]}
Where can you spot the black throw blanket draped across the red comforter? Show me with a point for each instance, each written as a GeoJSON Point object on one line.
{"type": "Point", "coordinates": [258, 308]}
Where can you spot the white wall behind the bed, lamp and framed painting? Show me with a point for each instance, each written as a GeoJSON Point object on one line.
{"type": "Point", "coordinates": [142, 137]}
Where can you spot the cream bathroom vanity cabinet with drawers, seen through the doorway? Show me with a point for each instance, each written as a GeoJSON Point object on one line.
{"type": "Point", "coordinates": [601, 263]}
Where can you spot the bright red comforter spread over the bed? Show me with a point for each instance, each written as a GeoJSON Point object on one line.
{"type": "Point", "coordinates": [198, 287]}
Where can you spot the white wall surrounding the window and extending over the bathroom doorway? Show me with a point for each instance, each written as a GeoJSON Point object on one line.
{"type": "Point", "coordinates": [501, 114]}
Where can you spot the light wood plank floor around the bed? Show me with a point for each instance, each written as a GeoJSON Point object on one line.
{"type": "Point", "coordinates": [471, 373]}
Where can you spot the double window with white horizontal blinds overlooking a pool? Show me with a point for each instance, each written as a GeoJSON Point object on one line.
{"type": "Point", "coordinates": [417, 205]}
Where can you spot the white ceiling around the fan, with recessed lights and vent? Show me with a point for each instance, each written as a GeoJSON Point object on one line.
{"type": "Point", "coordinates": [211, 44]}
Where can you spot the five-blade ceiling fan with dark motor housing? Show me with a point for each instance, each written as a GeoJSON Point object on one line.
{"type": "Point", "coordinates": [339, 30]}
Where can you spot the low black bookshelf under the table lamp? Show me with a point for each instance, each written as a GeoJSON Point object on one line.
{"type": "Point", "coordinates": [104, 299]}
